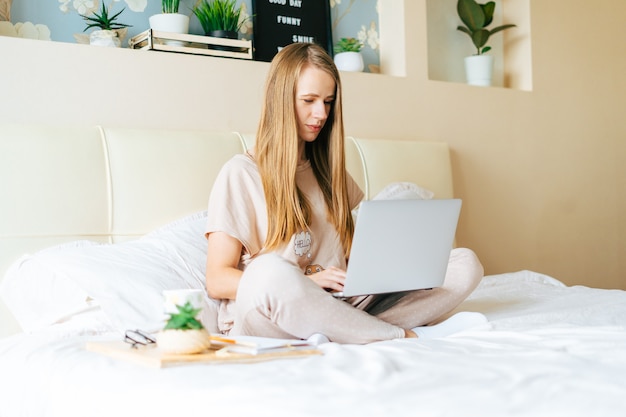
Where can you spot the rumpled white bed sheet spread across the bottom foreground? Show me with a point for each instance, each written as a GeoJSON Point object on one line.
{"type": "Point", "coordinates": [550, 350]}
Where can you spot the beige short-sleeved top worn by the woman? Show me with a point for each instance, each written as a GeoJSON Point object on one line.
{"type": "Point", "coordinates": [237, 207]}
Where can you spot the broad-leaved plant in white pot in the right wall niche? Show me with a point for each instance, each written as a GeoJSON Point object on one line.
{"type": "Point", "coordinates": [476, 17]}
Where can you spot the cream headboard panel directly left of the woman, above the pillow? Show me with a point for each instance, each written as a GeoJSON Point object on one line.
{"type": "Point", "coordinates": [161, 176]}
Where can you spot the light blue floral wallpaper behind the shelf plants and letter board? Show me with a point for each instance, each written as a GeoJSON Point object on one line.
{"type": "Point", "coordinates": [59, 20]}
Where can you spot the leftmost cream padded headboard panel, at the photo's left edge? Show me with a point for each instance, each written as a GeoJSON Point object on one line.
{"type": "Point", "coordinates": [52, 181]}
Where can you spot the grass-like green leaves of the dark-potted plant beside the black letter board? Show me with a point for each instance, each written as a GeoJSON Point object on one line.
{"type": "Point", "coordinates": [219, 15]}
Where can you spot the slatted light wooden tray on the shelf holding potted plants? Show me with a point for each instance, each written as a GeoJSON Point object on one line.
{"type": "Point", "coordinates": [191, 44]}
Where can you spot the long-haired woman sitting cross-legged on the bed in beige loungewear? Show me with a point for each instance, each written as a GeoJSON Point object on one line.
{"type": "Point", "coordinates": [280, 227]}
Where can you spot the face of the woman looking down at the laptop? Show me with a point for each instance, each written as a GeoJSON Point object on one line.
{"type": "Point", "coordinates": [315, 94]}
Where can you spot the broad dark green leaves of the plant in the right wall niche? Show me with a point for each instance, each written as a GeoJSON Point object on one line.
{"type": "Point", "coordinates": [476, 18]}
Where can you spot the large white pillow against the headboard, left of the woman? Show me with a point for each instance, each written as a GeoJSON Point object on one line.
{"type": "Point", "coordinates": [127, 279]}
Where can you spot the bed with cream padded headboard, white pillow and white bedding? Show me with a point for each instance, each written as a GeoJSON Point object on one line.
{"type": "Point", "coordinates": [98, 221]}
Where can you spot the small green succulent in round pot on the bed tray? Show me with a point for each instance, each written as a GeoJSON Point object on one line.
{"type": "Point", "coordinates": [183, 333]}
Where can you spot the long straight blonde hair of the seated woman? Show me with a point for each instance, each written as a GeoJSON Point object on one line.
{"type": "Point", "coordinates": [276, 151]}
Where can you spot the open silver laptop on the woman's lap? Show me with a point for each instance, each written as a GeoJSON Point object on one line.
{"type": "Point", "coordinates": [400, 245]}
